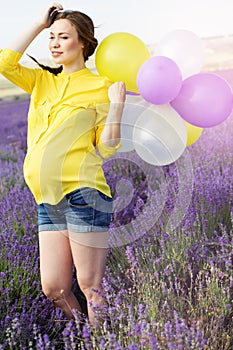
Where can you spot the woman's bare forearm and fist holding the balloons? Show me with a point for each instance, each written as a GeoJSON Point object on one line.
{"type": "Point", "coordinates": [111, 133]}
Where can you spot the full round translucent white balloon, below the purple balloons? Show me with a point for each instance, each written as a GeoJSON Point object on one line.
{"type": "Point", "coordinates": [159, 135]}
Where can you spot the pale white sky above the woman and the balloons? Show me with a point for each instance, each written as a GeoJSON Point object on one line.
{"type": "Point", "coordinates": [147, 19]}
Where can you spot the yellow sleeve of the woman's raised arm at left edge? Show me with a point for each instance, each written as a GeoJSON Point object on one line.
{"type": "Point", "coordinates": [22, 76]}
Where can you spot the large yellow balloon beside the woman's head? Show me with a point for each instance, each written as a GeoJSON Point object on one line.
{"type": "Point", "coordinates": [119, 57]}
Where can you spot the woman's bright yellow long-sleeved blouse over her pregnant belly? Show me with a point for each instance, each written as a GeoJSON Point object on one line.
{"type": "Point", "coordinates": [66, 117]}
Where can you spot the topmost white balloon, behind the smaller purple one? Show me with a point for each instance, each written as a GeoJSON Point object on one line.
{"type": "Point", "coordinates": [185, 48]}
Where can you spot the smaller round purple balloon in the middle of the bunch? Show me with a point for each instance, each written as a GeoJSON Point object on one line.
{"type": "Point", "coordinates": [159, 80]}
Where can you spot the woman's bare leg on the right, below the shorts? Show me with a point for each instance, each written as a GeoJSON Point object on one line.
{"type": "Point", "coordinates": [90, 262]}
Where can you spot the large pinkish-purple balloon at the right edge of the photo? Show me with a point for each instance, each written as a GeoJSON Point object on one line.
{"type": "Point", "coordinates": [205, 100]}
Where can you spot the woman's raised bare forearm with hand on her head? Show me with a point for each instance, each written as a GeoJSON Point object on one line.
{"type": "Point", "coordinates": [25, 39]}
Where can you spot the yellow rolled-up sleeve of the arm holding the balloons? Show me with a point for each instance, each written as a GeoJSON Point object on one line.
{"type": "Point", "coordinates": [105, 151]}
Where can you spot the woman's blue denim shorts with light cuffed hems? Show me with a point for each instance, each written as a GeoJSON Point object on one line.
{"type": "Point", "coordinates": [82, 210]}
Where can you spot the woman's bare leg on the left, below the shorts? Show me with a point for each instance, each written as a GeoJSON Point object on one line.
{"type": "Point", "coordinates": [56, 270]}
